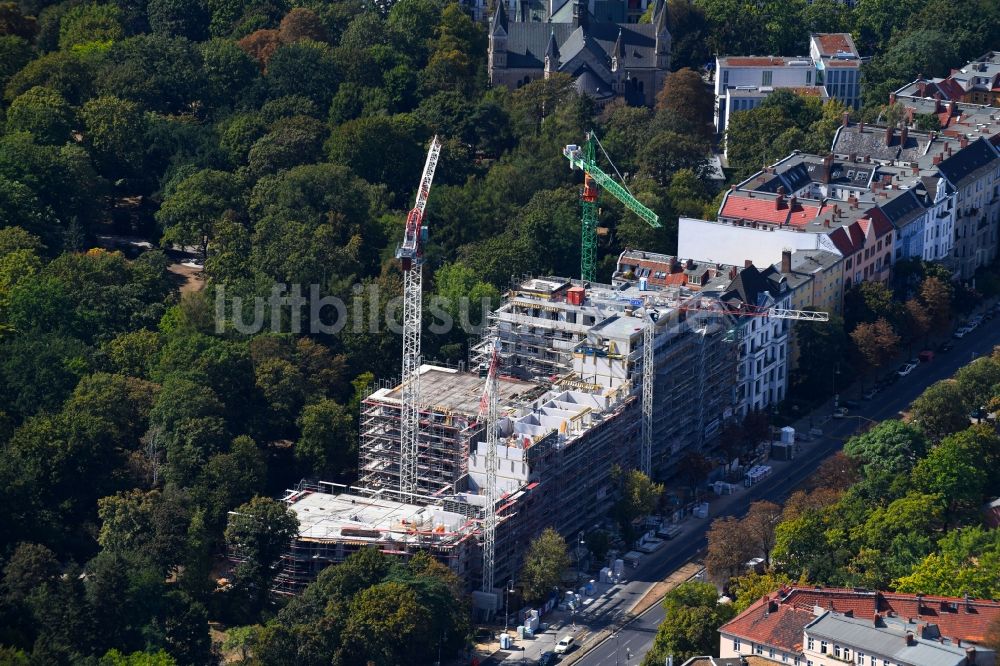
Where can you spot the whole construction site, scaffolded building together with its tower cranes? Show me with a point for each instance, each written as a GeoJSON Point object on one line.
{"type": "Point", "coordinates": [571, 380]}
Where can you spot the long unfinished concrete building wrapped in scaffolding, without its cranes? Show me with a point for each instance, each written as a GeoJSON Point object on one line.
{"type": "Point", "coordinates": [569, 414]}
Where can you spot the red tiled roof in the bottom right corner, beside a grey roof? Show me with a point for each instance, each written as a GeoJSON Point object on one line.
{"type": "Point", "coordinates": [783, 625]}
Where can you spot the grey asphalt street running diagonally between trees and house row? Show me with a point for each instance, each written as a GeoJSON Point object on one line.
{"type": "Point", "coordinates": [636, 638]}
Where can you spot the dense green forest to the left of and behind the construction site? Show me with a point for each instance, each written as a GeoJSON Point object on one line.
{"type": "Point", "coordinates": [281, 143]}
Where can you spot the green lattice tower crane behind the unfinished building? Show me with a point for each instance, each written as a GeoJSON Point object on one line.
{"type": "Point", "coordinates": [594, 179]}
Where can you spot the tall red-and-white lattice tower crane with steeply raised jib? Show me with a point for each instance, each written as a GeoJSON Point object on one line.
{"type": "Point", "coordinates": [410, 255]}
